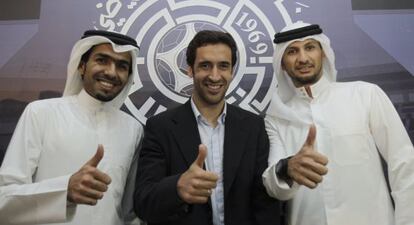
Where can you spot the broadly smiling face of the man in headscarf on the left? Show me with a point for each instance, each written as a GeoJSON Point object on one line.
{"type": "Point", "coordinates": [105, 73]}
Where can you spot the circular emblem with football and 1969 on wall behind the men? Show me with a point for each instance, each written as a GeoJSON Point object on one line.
{"type": "Point", "coordinates": [163, 29]}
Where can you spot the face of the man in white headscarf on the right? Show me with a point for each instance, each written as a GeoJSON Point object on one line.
{"type": "Point", "coordinates": [302, 60]}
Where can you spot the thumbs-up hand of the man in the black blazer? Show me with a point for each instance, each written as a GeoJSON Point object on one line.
{"type": "Point", "coordinates": [195, 184]}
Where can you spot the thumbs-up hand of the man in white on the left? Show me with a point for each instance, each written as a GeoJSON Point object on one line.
{"type": "Point", "coordinates": [88, 185]}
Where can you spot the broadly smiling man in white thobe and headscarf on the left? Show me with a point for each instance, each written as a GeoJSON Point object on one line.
{"type": "Point", "coordinates": [69, 158]}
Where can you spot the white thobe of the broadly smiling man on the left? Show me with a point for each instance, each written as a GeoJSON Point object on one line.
{"type": "Point", "coordinates": [53, 139]}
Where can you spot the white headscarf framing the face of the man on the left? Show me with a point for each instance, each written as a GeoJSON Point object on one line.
{"type": "Point", "coordinates": [74, 82]}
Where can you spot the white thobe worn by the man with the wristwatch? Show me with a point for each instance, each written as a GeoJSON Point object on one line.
{"type": "Point", "coordinates": [352, 121]}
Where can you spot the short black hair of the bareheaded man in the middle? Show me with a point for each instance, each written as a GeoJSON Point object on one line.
{"type": "Point", "coordinates": [206, 37]}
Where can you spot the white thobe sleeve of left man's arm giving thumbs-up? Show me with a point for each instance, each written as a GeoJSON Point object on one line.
{"type": "Point", "coordinates": [21, 199]}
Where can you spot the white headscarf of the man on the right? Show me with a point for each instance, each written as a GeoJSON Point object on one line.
{"type": "Point", "coordinates": [285, 87]}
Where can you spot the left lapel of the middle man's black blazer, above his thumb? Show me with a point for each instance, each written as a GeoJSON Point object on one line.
{"type": "Point", "coordinates": [186, 132]}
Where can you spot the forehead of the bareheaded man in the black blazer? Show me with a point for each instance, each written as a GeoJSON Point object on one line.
{"type": "Point", "coordinates": [213, 52]}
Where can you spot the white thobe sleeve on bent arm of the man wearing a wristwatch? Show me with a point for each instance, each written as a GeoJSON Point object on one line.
{"type": "Point", "coordinates": [275, 186]}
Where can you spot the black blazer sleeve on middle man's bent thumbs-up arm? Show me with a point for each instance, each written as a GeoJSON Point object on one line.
{"type": "Point", "coordinates": [156, 198]}
